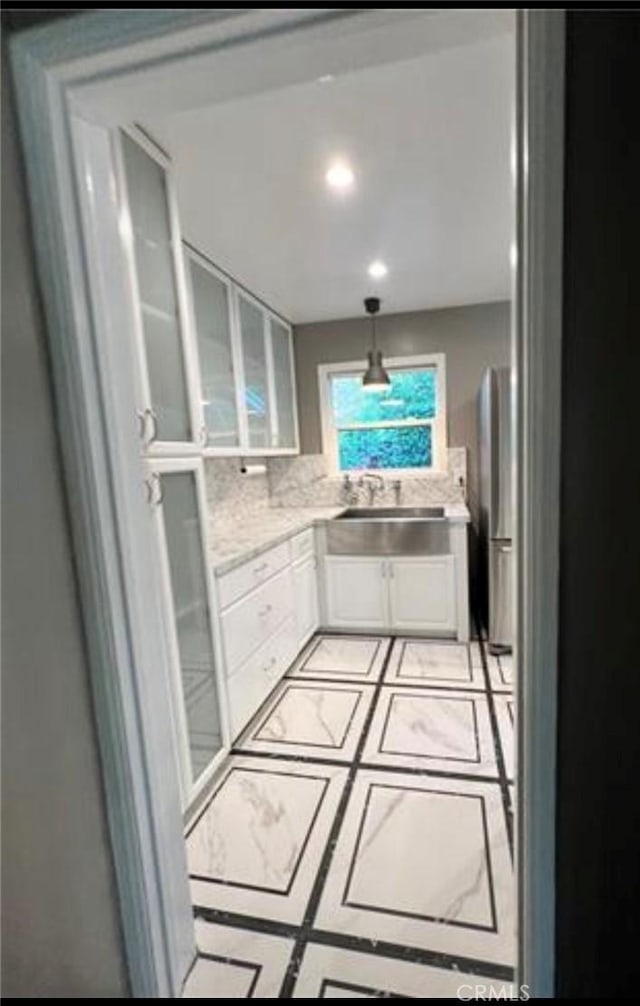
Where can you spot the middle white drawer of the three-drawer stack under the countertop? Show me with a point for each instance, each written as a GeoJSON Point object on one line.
{"type": "Point", "coordinates": [252, 620]}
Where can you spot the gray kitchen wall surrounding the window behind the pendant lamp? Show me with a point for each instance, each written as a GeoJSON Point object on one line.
{"type": "Point", "coordinates": [472, 339]}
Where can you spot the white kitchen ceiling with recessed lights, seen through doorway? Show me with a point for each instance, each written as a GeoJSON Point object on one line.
{"type": "Point", "coordinates": [429, 139]}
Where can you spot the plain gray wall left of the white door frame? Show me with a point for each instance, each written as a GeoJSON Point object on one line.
{"type": "Point", "coordinates": [60, 921]}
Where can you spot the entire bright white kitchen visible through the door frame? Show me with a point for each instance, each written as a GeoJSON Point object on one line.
{"type": "Point", "coordinates": [318, 431]}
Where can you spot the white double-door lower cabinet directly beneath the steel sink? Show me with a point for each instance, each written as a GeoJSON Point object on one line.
{"type": "Point", "coordinates": [405, 594]}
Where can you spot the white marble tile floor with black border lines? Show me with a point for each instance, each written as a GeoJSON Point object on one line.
{"type": "Point", "coordinates": [359, 842]}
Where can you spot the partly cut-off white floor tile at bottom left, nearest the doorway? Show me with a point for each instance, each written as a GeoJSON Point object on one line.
{"type": "Point", "coordinates": [238, 964]}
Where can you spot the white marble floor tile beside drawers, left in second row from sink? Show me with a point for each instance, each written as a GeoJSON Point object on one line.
{"type": "Point", "coordinates": [312, 719]}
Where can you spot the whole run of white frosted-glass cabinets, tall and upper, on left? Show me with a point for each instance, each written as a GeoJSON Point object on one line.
{"type": "Point", "coordinates": [214, 377]}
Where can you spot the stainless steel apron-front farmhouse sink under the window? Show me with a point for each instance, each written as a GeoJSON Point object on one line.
{"type": "Point", "coordinates": [390, 532]}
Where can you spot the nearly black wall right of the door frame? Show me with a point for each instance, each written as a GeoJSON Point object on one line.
{"type": "Point", "coordinates": [598, 890]}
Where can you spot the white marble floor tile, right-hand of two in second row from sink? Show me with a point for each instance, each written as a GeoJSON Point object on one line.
{"type": "Point", "coordinates": [440, 731]}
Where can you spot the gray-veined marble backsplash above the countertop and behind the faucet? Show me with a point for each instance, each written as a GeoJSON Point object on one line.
{"type": "Point", "coordinates": [303, 481]}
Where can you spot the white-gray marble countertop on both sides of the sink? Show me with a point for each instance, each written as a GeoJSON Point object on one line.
{"type": "Point", "coordinates": [235, 541]}
